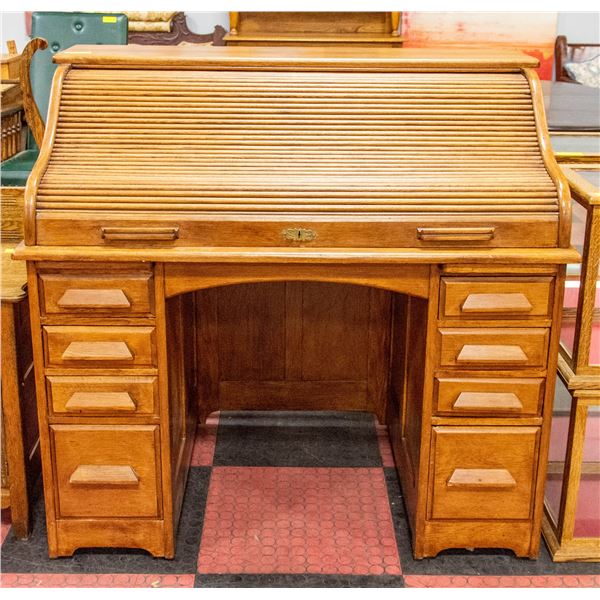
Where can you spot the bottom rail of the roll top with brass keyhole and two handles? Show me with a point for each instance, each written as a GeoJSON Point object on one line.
{"type": "Point", "coordinates": [392, 230]}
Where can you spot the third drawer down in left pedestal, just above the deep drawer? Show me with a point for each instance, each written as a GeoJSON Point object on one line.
{"type": "Point", "coordinates": [102, 395]}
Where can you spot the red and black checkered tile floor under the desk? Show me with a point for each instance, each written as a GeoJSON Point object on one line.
{"type": "Point", "coordinates": [286, 500]}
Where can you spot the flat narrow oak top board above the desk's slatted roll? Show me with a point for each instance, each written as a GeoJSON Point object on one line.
{"type": "Point", "coordinates": [265, 57]}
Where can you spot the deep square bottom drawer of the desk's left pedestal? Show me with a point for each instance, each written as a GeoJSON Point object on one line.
{"type": "Point", "coordinates": [106, 471]}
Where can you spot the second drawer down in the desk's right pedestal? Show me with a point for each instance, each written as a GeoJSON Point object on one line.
{"type": "Point", "coordinates": [494, 348]}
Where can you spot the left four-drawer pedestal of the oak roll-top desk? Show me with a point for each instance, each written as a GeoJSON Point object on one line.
{"type": "Point", "coordinates": [113, 429]}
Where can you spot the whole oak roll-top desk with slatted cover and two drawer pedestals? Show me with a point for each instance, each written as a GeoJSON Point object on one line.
{"type": "Point", "coordinates": [165, 171]}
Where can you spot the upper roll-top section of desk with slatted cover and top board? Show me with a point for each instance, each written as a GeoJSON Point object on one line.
{"type": "Point", "coordinates": [284, 147]}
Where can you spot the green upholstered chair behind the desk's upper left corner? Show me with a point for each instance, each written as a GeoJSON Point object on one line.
{"type": "Point", "coordinates": [61, 30]}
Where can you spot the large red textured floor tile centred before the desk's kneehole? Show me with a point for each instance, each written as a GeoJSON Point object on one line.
{"type": "Point", "coordinates": [298, 520]}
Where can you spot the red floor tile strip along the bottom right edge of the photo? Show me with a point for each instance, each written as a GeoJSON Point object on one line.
{"type": "Point", "coordinates": [490, 581]}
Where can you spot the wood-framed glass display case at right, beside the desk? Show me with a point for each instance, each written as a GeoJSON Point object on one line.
{"type": "Point", "coordinates": [572, 501]}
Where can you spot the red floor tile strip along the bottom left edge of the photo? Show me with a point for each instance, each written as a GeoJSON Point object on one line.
{"type": "Point", "coordinates": [112, 580]}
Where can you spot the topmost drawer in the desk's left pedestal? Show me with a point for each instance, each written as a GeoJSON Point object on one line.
{"type": "Point", "coordinates": [121, 294]}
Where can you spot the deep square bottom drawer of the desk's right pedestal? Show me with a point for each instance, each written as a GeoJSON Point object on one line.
{"type": "Point", "coordinates": [484, 472]}
